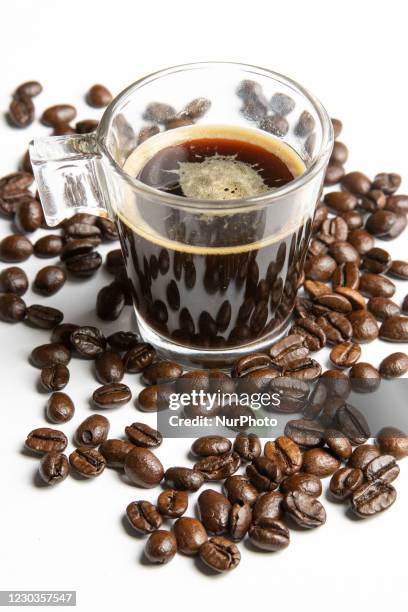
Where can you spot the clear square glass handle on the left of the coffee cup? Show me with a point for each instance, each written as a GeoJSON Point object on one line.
{"type": "Point", "coordinates": [69, 175]}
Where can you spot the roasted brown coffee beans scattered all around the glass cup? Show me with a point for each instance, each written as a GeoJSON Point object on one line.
{"type": "Point", "coordinates": [346, 301]}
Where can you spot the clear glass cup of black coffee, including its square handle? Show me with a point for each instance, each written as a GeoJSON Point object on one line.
{"type": "Point", "coordinates": [212, 173]}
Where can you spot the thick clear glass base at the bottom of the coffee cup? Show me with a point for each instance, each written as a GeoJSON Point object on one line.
{"type": "Point", "coordinates": [192, 357]}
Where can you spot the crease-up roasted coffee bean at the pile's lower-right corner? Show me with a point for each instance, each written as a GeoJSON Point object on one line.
{"type": "Point", "coordinates": [372, 498]}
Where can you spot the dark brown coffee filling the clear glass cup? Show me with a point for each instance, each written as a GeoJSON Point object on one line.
{"type": "Point", "coordinates": [213, 281]}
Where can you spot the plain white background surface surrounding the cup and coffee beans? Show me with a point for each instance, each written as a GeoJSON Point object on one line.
{"type": "Point", "coordinates": [352, 56]}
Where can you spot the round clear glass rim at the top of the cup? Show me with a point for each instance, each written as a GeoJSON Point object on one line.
{"type": "Point", "coordinates": [210, 205]}
